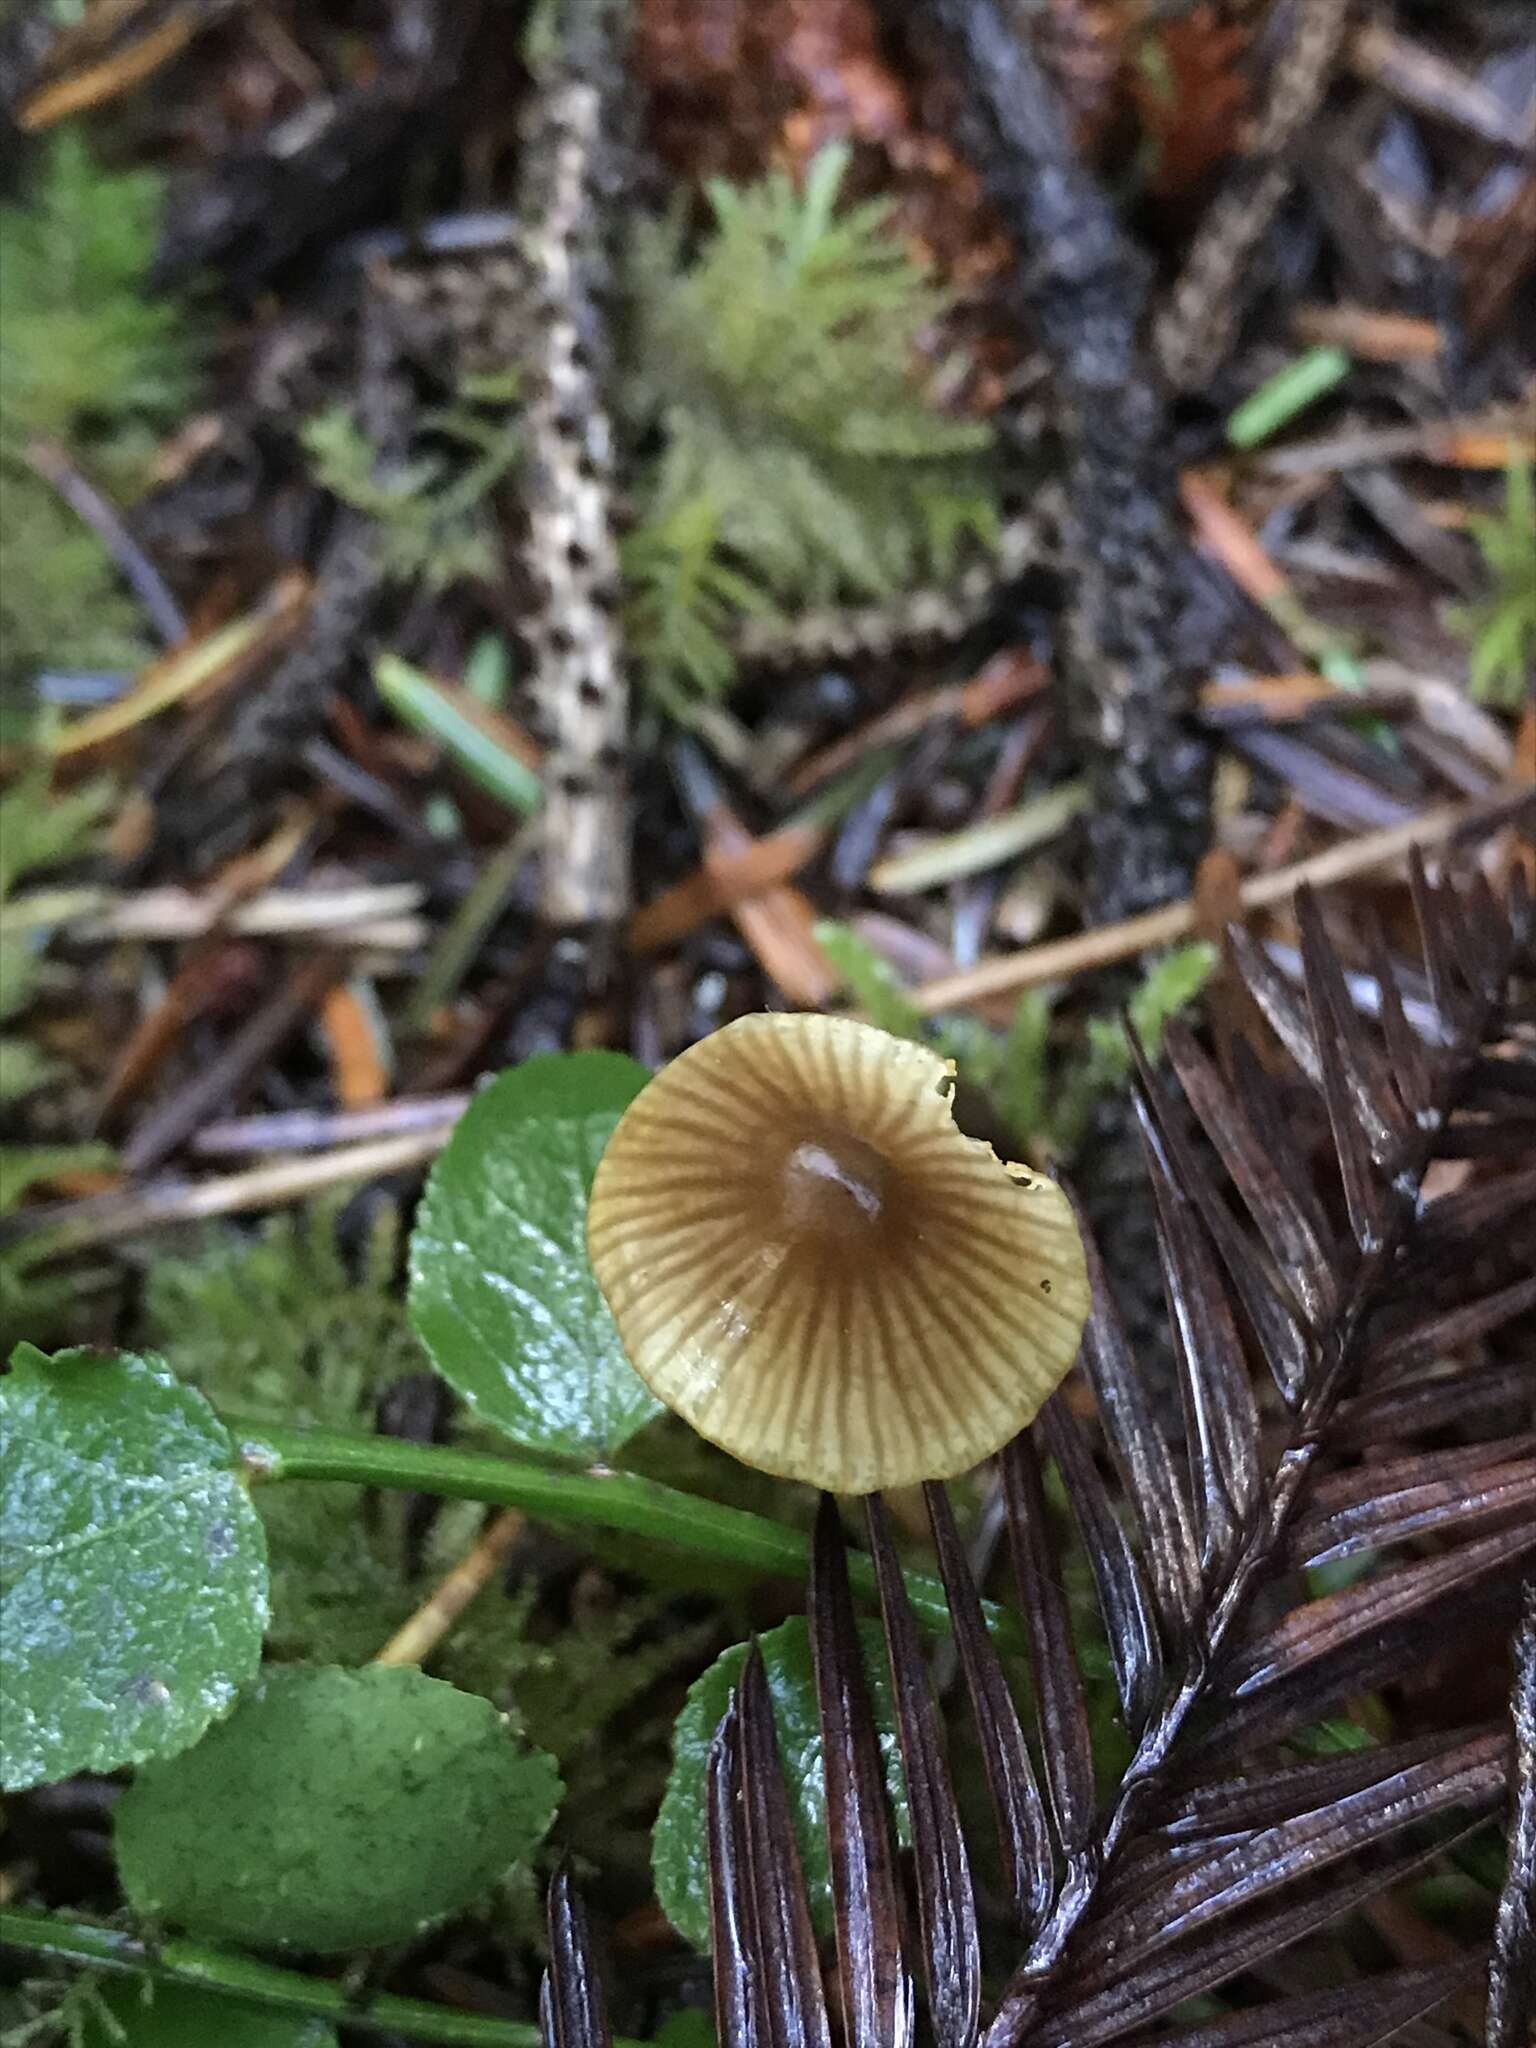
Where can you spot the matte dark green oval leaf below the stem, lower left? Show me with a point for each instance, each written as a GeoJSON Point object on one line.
{"type": "Point", "coordinates": [335, 1809]}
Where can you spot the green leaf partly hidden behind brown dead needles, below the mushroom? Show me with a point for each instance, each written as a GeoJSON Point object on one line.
{"type": "Point", "coordinates": [681, 1830]}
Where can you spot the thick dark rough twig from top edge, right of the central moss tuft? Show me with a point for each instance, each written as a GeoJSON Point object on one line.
{"type": "Point", "coordinates": [1129, 671]}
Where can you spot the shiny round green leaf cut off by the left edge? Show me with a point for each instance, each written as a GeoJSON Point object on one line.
{"type": "Point", "coordinates": [132, 1566]}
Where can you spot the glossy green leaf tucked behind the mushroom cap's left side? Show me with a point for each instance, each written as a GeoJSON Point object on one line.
{"type": "Point", "coordinates": [503, 1293]}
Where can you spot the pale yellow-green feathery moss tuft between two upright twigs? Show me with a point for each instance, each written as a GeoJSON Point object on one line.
{"type": "Point", "coordinates": [800, 458]}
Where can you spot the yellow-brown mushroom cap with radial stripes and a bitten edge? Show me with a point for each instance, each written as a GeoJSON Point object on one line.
{"type": "Point", "coordinates": [816, 1269]}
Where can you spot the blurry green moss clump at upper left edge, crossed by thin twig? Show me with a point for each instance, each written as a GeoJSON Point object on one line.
{"type": "Point", "coordinates": [91, 361]}
